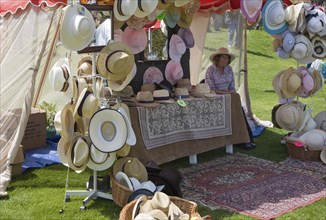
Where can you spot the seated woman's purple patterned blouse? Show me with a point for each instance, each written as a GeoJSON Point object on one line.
{"type": "Point", "coordinates": [218, 80]}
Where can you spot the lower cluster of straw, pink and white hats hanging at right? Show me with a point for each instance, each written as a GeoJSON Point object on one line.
{"type": "Point", "coordinates": [295, 116]}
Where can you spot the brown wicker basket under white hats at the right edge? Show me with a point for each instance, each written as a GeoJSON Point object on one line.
{"type": "Point", "coordinates": [301, 153]}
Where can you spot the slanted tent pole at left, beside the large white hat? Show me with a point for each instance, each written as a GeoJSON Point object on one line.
{"type": "Point", "coordinates": [48, 60]}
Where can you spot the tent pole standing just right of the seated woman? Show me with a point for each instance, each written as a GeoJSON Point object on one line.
{"type": "Point", "coordinates": [245, 78]}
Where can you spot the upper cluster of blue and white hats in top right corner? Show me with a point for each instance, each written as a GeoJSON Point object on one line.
{"type": "Point", "coordinates": [299, 30]}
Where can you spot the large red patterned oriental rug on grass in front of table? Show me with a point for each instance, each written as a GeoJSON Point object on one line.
{"type": "Point", "coordinates": [251, 186]}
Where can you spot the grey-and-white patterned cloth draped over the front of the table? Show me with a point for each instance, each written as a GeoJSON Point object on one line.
{"type": "Point", "coordinates": [170, 123]}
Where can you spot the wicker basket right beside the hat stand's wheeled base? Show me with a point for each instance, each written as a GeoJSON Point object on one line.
{"type": "Point", "coordinates": [120, 193]}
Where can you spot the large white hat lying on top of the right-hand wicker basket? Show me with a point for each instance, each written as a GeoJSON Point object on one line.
{"type": "Point", "coordinates": [315, 139]}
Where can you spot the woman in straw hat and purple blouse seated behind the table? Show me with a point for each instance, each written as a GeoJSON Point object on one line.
{"type": "Point", "coordinates": [220, 78]}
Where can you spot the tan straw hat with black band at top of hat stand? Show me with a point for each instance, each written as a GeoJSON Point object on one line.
{"type": "Point", "coordinates": [115, 61]}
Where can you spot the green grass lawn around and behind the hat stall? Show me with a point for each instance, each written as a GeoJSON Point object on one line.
{"type": "Point", "coordinates": [39, 193]}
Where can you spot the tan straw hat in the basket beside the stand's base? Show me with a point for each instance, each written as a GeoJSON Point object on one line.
{"type": "Point", "coordinates": [132, 167]}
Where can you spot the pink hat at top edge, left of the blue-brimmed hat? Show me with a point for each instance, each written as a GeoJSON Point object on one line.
{"type": "Point", "coordinates": [251, 9]}
